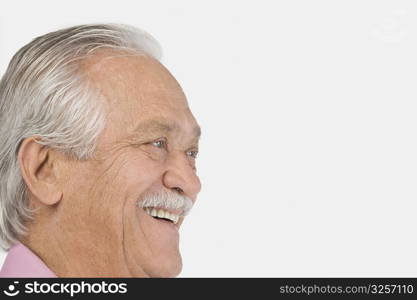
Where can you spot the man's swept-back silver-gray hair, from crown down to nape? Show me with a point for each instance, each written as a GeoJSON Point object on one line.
{"type": "Point", "coordinates": [45, 94]}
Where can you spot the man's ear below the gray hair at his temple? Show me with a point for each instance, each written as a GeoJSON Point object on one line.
{"type": "Point", "coordinates": [39, 171]}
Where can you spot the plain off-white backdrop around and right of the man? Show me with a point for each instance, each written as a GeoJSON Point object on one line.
{"type": "Point", "coordinates": [308, 108]}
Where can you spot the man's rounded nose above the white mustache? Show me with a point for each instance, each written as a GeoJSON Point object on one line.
{"type": "Point", "coordinates": [180, 176]}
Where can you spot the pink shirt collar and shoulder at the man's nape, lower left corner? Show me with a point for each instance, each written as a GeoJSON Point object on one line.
{"type": "Point", "coordinates": [21, 262]}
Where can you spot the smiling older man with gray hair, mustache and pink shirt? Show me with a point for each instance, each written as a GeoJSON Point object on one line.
{"type": "Point", "coordinates": [97, 157]}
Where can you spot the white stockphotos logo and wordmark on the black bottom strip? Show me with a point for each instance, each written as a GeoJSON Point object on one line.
{"type": "Point", "coordinates": [65, 288]}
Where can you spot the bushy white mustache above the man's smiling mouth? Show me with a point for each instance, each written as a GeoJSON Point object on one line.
{"type": "Point", "coordinates": [167, 200]}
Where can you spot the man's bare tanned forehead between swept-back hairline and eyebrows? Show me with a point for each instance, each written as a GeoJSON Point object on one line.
{"type": "Point", "coordinates": [137, 89]}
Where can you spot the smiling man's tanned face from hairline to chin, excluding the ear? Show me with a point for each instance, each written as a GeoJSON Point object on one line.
{"type": "Point", "coordinates": [147, 148]}
